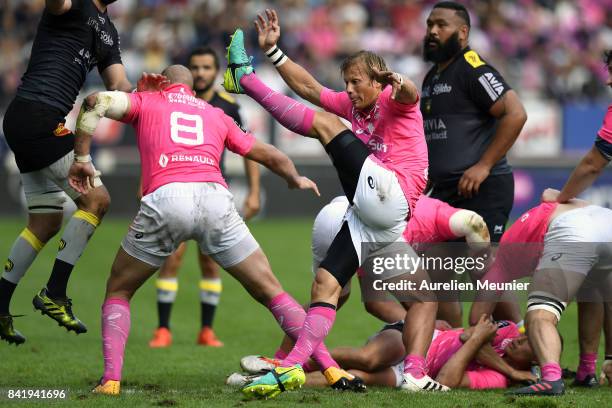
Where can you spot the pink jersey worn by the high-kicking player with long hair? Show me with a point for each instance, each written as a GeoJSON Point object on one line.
{"type": "Point", "coordinates": [394, 134]}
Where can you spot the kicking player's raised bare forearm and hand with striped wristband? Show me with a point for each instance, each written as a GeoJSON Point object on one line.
{"type": "Point", "coordinates": [298, 79]}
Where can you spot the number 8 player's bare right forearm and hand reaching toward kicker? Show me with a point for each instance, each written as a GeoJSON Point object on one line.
{"type": "Point", "coordinates": [280, 164]}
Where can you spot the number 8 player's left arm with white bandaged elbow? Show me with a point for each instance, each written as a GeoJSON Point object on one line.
{"type": "Point", "coordinates": [112, 105]}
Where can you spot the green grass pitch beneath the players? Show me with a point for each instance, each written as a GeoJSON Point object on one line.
{"type": "Point", "coordinates": [188, 375]}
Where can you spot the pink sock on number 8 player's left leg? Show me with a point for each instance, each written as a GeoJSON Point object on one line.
{"type": "Point", "coordinates": [115, 331]}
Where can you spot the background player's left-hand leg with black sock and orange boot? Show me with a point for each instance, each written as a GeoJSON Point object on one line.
{"type": "Point", "coordinates": [167, 288]}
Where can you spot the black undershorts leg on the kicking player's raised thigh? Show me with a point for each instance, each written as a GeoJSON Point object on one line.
{"type": "Point", "coordinates": [348, 154]}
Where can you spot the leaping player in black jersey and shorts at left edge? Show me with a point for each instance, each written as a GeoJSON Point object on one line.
{"type": "Point", "coordinates": [72, 38]}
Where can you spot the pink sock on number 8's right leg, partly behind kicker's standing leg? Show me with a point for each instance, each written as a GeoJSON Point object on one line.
{"type": "Point", "coordinates": [291, 316]}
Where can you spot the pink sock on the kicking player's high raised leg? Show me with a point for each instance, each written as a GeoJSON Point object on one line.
{"type": "Point", "coordinates": [290, 113]}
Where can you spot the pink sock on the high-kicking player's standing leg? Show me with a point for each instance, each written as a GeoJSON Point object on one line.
{"type": "Point", "coordinates": [319, 321]}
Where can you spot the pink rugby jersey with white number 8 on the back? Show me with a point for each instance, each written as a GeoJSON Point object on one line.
{"type": "Point", "coordinates": [181, 138]}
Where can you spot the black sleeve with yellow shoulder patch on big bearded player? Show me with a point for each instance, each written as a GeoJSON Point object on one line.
{"type": "Point", "coordinates": [484, 84]}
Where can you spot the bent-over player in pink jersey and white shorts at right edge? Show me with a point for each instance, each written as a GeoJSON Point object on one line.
{"type": "Point", "coordinates": [562, 246]}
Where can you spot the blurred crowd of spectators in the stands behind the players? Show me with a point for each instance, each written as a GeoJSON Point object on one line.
{"type": "Point", "coordinates": [545, 48]}
